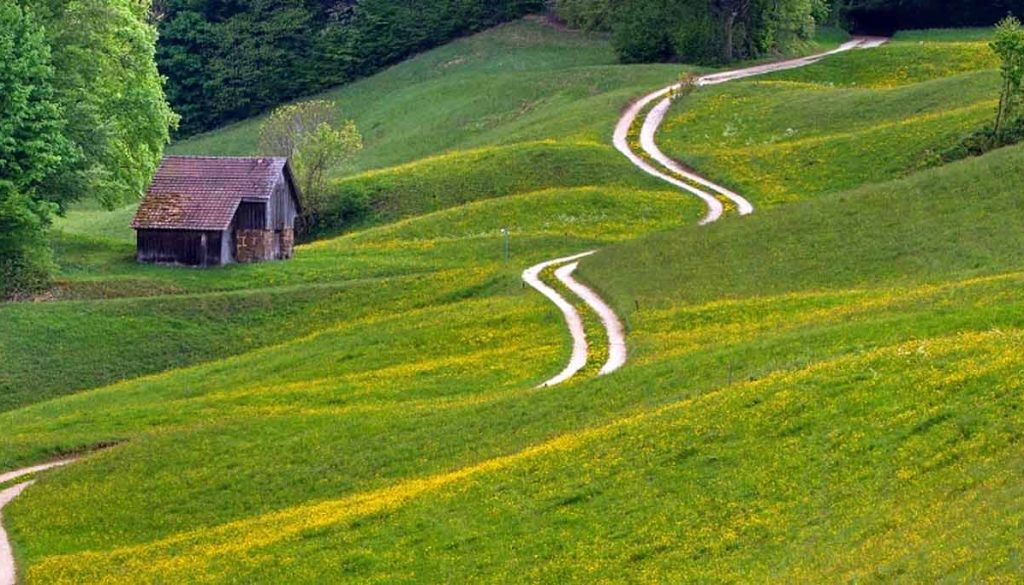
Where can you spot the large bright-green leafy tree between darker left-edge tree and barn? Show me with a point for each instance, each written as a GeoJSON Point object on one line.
{"type": "Point", "coordinates": [112, 95]}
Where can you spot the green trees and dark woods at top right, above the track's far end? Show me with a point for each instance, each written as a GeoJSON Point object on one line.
{"type": "Point", "coordinates": [718, 31]}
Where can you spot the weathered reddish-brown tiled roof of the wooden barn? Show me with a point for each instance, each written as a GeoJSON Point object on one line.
{"type": "Point", "coordinates": [203, 193]}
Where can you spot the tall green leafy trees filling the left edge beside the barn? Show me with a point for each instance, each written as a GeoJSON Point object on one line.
{"type": "Point", "coordinates": [82, 114]}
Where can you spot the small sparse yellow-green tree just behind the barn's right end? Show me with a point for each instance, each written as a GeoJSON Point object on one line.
{"type": "Point", "coordinates": [317, 144]}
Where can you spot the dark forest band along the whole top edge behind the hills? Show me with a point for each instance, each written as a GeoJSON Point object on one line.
{"type": "Point", "coordinates": [228, 60]}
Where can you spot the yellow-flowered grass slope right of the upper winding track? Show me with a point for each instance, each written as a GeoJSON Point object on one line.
{"type": "Point", "coordinates": [858, 118]}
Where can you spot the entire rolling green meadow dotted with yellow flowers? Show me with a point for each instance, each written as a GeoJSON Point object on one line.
{"type": "Point", "coordinates": [828, 390]}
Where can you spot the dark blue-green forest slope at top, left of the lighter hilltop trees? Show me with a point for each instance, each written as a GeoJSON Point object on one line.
{"type": "Point", "coordinates": [228, 60]}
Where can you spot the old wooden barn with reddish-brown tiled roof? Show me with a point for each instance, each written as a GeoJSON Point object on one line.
{"type": "Point", "coordinates": [208, 212]}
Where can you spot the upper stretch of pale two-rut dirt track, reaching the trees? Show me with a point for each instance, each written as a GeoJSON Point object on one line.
{"type": "Point", "coordinates": [671, 172]}
